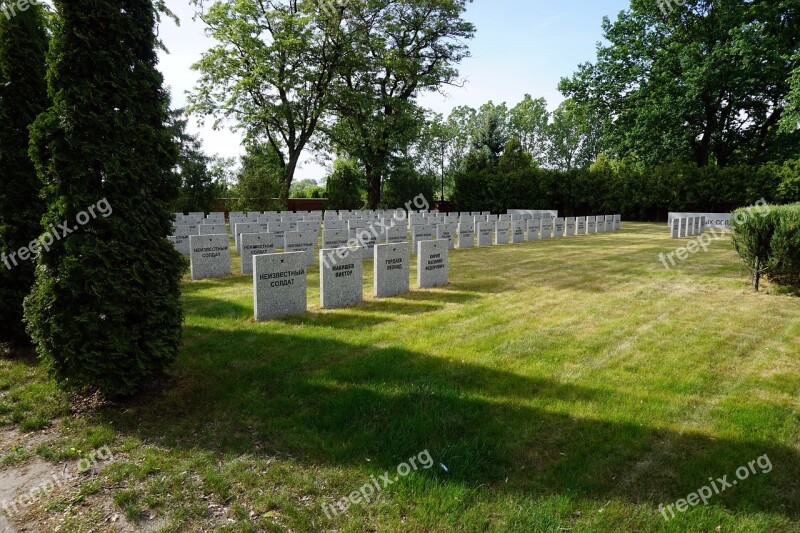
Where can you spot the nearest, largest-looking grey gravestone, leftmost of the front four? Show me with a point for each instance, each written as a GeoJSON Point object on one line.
{"type": "Point", "coordinates": [279, 285]}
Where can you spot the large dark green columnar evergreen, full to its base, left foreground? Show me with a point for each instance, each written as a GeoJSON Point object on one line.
{"type": "Point", "coordinates": [105, 310]}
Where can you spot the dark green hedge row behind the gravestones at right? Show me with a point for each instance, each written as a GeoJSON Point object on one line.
{"type": "Point", "coordinates": [612, 187]}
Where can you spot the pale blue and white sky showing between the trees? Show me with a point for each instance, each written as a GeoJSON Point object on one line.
{"type": "Point", "coordinates": [520, 47]}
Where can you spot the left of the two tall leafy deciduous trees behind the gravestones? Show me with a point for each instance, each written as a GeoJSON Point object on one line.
{"type": "Point", "coordinates": [271, 72]}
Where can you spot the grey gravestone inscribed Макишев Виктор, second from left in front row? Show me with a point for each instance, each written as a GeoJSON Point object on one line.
{"type": "Point", "coordinates": [341, 279]}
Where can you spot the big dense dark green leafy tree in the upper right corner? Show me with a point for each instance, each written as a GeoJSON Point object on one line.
{"type": "Point", "coordinates": [705, 81]}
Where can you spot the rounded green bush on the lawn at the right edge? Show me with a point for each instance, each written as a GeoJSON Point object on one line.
{"type": "Point", "coordinates": [768, 240]}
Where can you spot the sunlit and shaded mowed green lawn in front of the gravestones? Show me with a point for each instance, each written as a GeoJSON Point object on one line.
{"type": "Point", "coordinates": [563, 385]}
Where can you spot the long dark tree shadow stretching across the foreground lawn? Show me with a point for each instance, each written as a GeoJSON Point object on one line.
{"type": "Point", "coordinates": [321, 401]}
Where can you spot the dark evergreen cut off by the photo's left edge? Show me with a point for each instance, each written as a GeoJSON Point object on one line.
{"type": "Point", "coordinates": [23, 95]}
